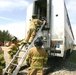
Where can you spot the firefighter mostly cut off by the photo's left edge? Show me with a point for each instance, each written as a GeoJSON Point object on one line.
{"type": "Point", "coordinates": [2, 61]}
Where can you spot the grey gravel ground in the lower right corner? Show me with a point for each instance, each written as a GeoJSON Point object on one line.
{"type": "Point", "coordinates": [65, 68]}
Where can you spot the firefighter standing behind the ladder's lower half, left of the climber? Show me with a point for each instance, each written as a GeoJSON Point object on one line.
{"type": "Point", "coordinates": [12, 49]}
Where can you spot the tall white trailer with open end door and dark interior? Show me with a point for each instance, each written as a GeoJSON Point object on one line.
{"type": "Point", "coordinates": [58, 35]}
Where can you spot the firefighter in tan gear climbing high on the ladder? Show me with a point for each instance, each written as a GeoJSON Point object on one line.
{"type": "Point", "coordinates": [32, 29]}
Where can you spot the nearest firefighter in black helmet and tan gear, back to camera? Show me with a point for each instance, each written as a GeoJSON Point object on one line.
{"type": "Point", "coordinates": [37, 58]}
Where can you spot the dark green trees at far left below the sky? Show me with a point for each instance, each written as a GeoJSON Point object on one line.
{"type": "Point", "coordinates": [5, 35]}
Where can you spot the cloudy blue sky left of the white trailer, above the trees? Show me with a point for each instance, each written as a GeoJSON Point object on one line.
{"type": "Point", "coordinates": [13, 16]}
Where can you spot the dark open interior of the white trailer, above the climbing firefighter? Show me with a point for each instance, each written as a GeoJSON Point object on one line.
{"type": "Point", "coordinates": [40, 8]}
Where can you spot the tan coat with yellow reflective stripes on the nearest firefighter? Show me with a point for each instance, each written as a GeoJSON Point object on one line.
{"type": "Point", "coordinates": [36, 57]}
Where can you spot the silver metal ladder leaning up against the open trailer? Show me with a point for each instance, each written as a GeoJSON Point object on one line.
{"type": "Point", "coordinates": [18, 66]}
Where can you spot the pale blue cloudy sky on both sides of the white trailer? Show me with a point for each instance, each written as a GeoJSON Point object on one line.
{"type": "Point", "coordinates": [13, 16]}
